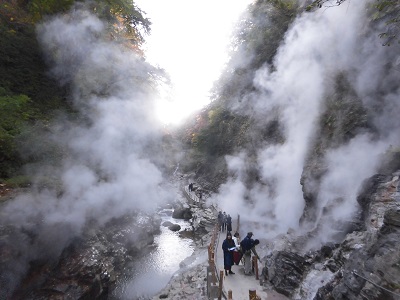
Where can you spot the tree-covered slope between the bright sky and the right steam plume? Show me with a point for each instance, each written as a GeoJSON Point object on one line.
{"type": "Point", "coordinates": [219, 131]}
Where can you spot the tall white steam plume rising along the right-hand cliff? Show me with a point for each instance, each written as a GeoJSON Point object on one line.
{"type": "Point", "coordinates": [315, 48]}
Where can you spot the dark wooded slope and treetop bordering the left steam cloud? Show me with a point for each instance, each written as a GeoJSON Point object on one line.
{"type": "Point", "coordinates": [30, 98]}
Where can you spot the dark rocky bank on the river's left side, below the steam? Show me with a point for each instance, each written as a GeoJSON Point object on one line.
{"type": "Point", "coordinates": [87, 269]}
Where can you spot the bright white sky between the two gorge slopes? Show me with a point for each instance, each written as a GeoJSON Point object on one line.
{"type": "Point", "coordinates": [189, 39]}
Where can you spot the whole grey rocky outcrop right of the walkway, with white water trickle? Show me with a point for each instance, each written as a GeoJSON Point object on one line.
{"type": "Point", "coordinates": [365, 265]}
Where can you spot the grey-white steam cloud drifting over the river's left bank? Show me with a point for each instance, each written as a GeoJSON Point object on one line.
{"type": "Point", "coordinates": [108, 168]}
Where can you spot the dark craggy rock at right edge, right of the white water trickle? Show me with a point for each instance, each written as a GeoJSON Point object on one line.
{"type": "Point", "coordinates": [367, 262]}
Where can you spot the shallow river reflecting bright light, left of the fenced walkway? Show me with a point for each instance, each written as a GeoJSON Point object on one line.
{"type": "Point", "coordinates": [152, 272]}
